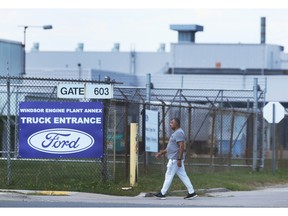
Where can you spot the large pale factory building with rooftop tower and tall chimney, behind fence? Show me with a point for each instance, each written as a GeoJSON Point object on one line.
{"type": "Point", "coordinates": [188, 65]}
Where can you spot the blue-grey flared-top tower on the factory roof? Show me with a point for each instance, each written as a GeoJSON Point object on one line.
{"type": "Point", "coordinates": [186, 33]}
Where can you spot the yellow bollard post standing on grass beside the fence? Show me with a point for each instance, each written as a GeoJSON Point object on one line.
{"type": "Point", "coordinates": [133, 153]}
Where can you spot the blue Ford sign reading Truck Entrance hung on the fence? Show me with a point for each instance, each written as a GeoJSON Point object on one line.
{"type": "Point", "coordinates": [61, 129]}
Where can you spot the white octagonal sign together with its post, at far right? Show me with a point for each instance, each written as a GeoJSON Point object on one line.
{"type": "Point", "coordinates": [273, 112]}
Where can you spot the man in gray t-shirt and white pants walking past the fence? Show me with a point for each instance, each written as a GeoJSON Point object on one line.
{"type": "Point", "coordinates": [175, 155]}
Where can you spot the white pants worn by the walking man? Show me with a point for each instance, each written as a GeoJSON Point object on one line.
{"type": "Point", "coordinates": [173, 169]}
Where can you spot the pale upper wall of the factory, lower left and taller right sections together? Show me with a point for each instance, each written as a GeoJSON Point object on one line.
{"type": "Point", "coordinates": [182, 55]}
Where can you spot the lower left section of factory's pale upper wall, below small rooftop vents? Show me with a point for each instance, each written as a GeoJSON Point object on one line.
{"type": "Point", "coordinates": [144, 62]}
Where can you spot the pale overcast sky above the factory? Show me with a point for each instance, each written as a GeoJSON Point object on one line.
{"type": "Point", "coordinates": [137, 28]}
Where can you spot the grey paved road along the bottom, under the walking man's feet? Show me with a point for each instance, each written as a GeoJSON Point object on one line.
{"type": "Point", "coordinates": [270, 197]}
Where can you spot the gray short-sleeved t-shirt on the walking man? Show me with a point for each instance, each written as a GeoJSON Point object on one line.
{"type": "Point", "coordinates": [173, 146]}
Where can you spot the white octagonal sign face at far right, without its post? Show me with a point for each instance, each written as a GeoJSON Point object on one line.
{"type": "Point", "coordinates": [279, 112]}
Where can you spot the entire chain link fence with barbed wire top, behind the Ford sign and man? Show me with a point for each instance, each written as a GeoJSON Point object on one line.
{"type": "Point", "coordinates": [219, 127]}
